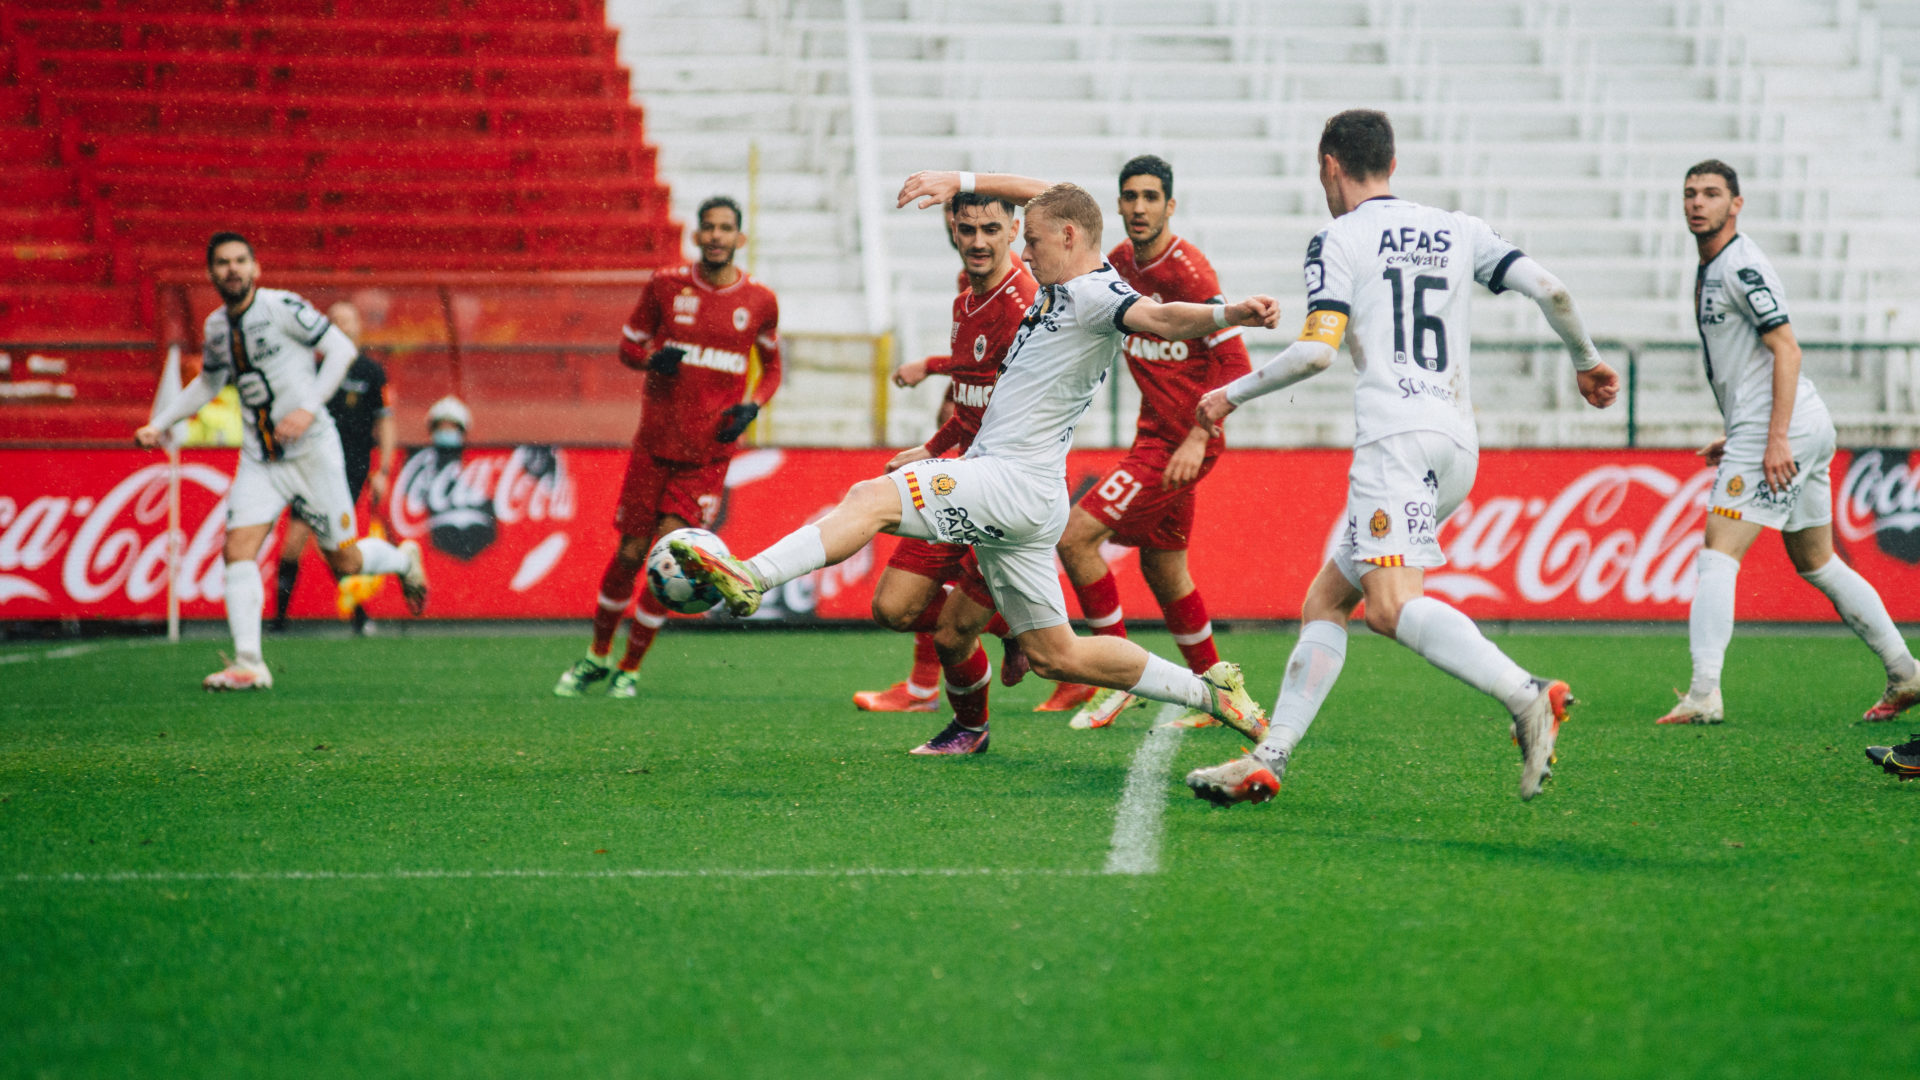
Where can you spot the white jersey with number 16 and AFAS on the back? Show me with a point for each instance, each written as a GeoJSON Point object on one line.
{"type": "Point", "coordinates": [1403, 274]}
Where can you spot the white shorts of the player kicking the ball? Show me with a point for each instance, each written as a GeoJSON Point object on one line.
{"type": "Point", "coordinates": [1011, 520]}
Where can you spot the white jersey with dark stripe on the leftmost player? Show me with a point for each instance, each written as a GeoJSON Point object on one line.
{"type": "Point", "coordinates": [268, 355]}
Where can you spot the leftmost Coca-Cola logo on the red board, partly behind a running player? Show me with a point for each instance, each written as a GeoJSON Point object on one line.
{"type": "Point", "coordinates": [116, 543]}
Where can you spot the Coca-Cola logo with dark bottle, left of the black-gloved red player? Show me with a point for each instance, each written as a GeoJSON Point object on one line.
{"type": "Point", "coordinates": [458, 501]}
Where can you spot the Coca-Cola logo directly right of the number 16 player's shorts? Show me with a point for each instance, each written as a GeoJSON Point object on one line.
{"type": "Point", "coordinates": [1593, 541]}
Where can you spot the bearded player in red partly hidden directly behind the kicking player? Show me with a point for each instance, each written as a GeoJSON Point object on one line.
{"type": "Point", "coordinates": [996, 295]}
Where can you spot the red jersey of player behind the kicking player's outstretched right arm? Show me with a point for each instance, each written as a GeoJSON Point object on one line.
{"type": "Point", "coordinates": [1172, 376]}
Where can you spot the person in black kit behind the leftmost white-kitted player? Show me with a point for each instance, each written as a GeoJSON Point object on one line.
{"type": "Point", "coordinates": [364, 416]}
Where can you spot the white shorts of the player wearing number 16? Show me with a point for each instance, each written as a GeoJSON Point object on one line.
{"type": "Point", "coordinates": [1399, 493]}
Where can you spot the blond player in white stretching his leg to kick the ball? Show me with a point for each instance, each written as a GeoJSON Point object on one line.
{"type": "Point", "coordinates": [1007, 499]}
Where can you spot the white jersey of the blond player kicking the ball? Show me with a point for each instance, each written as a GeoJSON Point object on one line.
{"type": "Point", "coordinates": [1053, 370]}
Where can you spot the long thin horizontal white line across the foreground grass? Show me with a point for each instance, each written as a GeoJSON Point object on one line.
{"type": "Point", "coordinates": [164, 877]}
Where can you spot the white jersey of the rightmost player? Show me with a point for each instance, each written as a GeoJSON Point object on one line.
{"type": "Point", "coordinates": [1737, 299]}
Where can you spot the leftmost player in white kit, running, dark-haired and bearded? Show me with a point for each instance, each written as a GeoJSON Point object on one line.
{"type": "Point", "coordinates": [262, 341]}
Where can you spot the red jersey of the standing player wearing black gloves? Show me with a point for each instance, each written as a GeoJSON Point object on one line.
{"type": "Point", "coordinates": [717, 330]}
